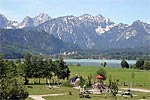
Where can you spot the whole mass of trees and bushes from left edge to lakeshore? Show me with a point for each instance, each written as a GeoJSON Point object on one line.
{"type": "Point", "coordinates": [14, 74]}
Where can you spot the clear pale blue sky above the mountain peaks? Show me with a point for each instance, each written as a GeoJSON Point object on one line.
{"type": "Point", "coordinates": [125, 11]}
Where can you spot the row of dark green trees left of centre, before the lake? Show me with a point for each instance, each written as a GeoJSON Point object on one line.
{"type": "Point", "coordinates": [42, 67]}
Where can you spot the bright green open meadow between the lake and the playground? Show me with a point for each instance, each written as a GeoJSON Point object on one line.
{"type": "Point", "coordinates": [141, 79]}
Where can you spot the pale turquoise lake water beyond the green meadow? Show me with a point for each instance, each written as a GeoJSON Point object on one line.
{"type": "Point", "coordinates": [97, 62]}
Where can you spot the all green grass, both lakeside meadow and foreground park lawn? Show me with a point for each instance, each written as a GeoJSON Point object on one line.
{"type": "Point", "coordinates": [141, 80]}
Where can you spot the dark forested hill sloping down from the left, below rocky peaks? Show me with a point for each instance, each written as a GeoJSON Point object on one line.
{"type": "Point", "coordinates": [18, 41]}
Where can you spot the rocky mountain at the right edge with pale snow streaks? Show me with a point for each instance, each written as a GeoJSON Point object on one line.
{"type": "Point", "coordinates": [124, 36]}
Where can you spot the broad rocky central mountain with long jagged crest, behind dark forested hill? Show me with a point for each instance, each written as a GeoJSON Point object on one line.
{"type": "Point", "coordinates": [78, 30]}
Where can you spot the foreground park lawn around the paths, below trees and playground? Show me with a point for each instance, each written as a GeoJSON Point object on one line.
{"type": "Point", "coordinates": [75, 94]}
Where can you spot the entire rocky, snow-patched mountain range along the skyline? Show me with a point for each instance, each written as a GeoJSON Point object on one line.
{"type": "Point", "coordinates": [85, 32]}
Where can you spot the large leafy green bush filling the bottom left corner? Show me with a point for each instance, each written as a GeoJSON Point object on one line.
{"type": "Point", "coordinates": [12, 88]}
